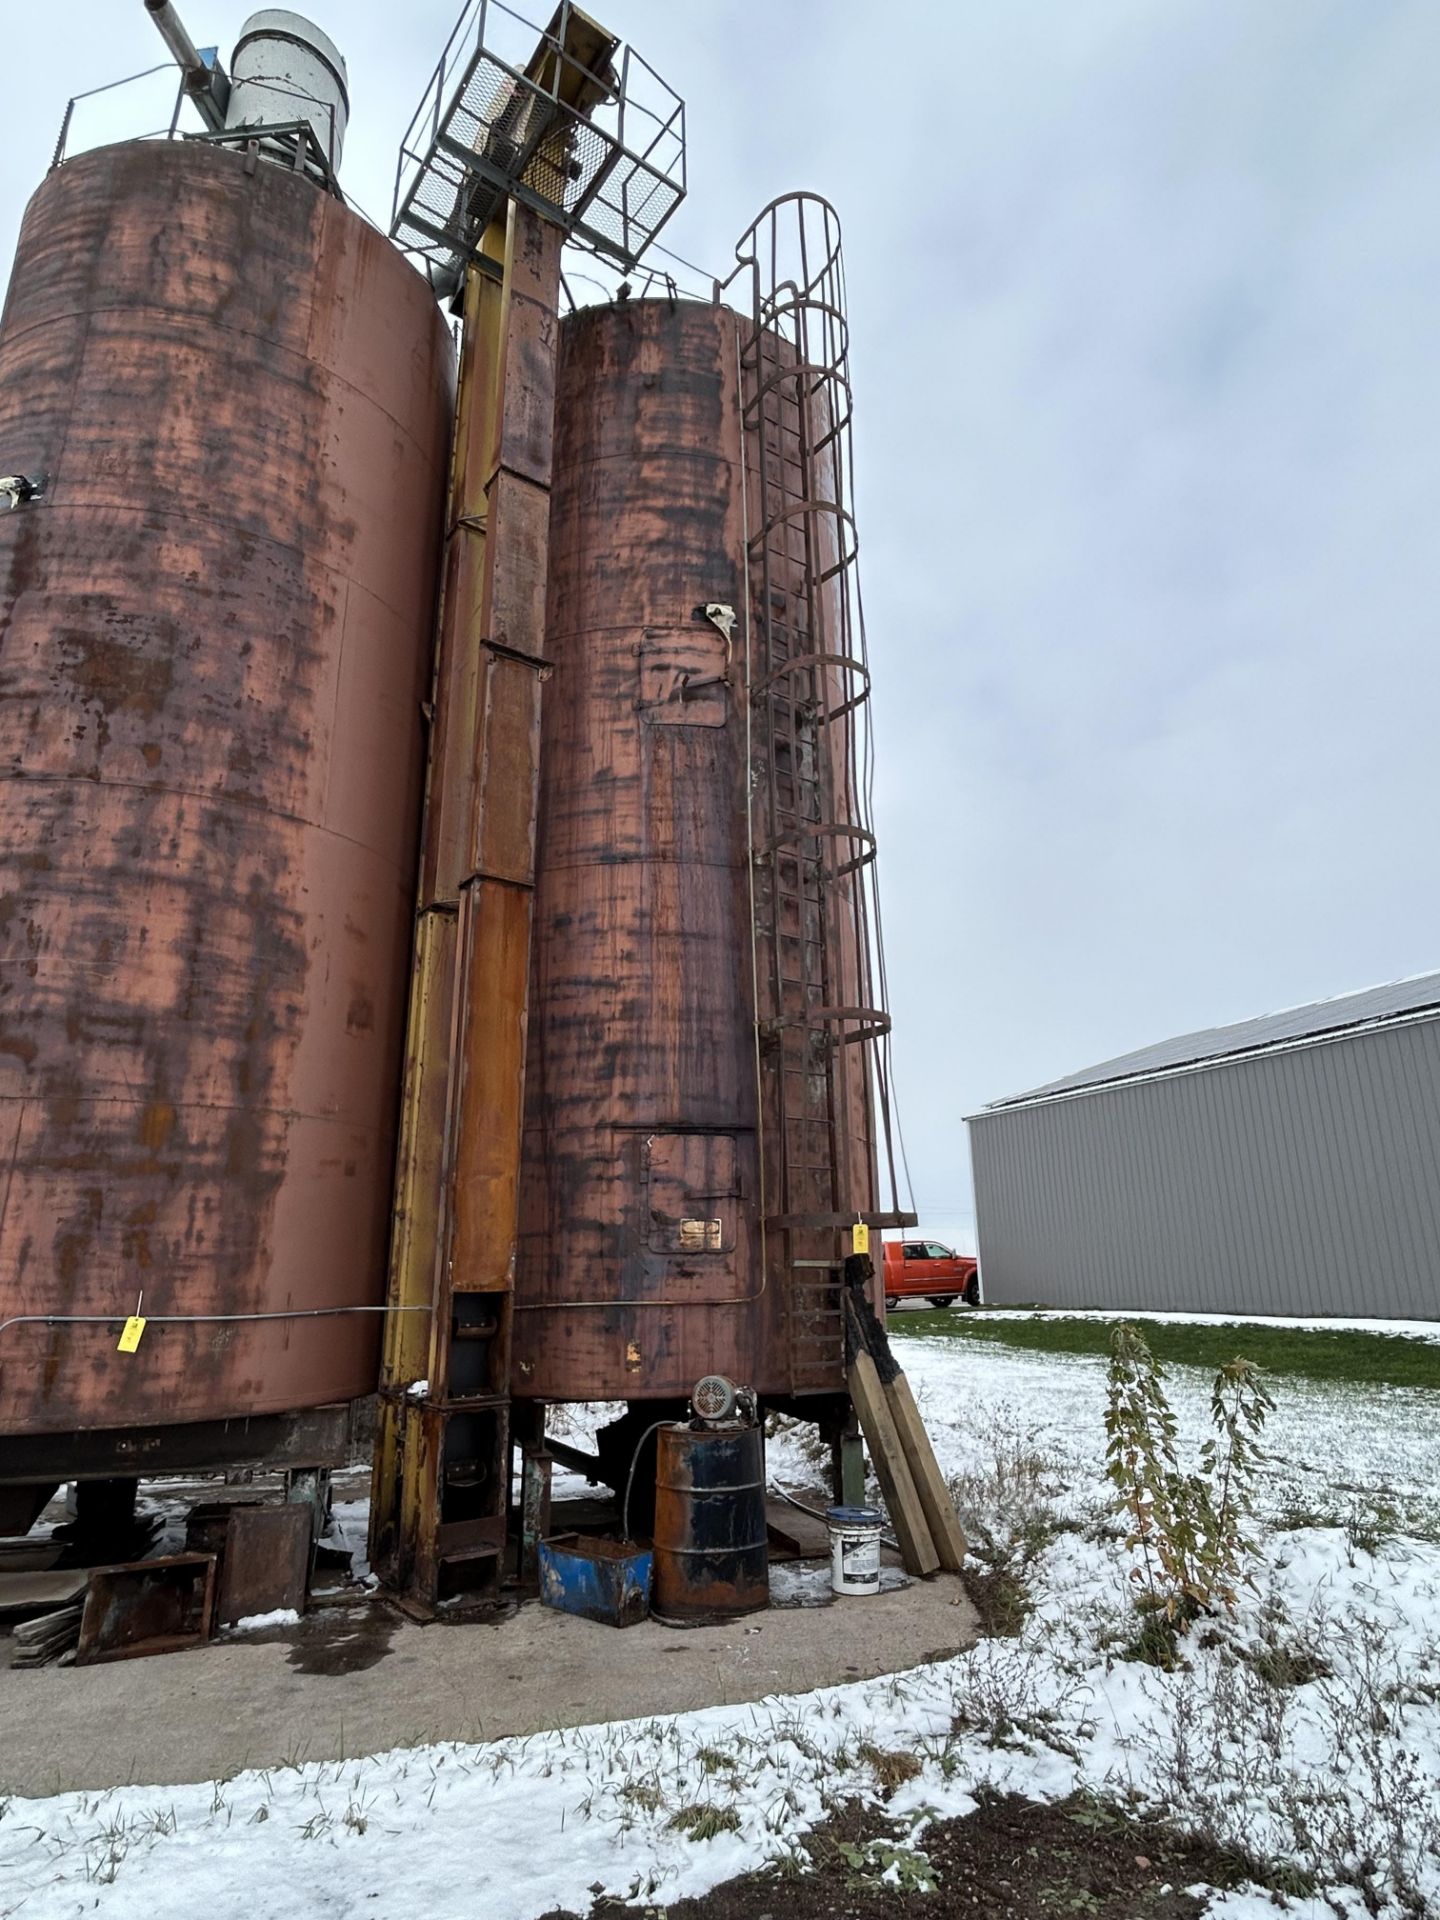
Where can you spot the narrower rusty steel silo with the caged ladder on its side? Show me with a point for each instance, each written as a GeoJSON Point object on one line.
{"type": "Point", "coordinates": [702, 1097]}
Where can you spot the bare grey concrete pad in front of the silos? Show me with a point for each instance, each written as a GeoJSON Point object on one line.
{"type": "Point", "coordinates": [348, 1681]}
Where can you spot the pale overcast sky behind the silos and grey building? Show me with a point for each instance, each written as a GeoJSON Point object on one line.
{"type": "Point", "coordinates": [1145, 324]}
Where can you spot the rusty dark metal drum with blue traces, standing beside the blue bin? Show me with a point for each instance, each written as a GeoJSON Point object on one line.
{"type": "Point", "coordinates": [711, 1548]}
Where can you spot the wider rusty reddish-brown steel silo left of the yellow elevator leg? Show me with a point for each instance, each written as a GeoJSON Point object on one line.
{"type": "Point", "coordinates": [216, 625]}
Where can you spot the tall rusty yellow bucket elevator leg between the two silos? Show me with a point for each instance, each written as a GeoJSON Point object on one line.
{"type": "Point", "coordinates": [441, 1483]}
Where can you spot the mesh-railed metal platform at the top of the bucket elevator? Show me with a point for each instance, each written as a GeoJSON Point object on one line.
{"type": "Point", "coordinates": [600, 151]}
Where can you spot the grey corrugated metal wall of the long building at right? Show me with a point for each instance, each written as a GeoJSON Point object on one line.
{"type": "Point", "coordinates": [1305, 1182]}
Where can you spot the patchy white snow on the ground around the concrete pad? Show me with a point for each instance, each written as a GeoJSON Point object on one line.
{"type": "Point", "coordinates": [1328, 1769]}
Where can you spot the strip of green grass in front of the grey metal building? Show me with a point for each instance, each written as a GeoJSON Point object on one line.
{"type": "Point", "coordinates": [1368, 1358]}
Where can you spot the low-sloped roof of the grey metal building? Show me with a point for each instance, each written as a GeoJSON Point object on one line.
{"type": "Point", "coordinates": [1293, 1026]}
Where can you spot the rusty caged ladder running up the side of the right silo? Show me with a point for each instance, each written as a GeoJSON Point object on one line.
{"type": "Point", "coordinates": [825, 1049]}
